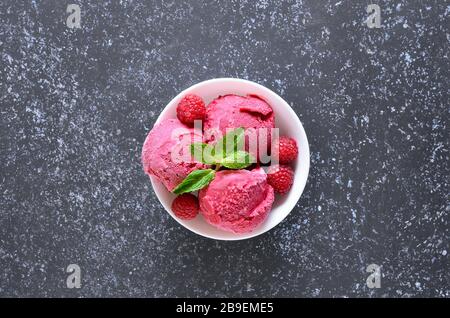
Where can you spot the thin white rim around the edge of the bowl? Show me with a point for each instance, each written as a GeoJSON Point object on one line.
{"type": "Point", "coordinates": [305, 165]}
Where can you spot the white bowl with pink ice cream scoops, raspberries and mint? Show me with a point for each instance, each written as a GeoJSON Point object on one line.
{"type": "Point", "coordinates": [227, 193]}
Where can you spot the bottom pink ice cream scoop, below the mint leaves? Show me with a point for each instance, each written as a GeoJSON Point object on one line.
{"type": "Point", "coordinates": [237, 200]}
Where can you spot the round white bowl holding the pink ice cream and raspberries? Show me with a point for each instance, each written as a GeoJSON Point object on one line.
{"type": "Point", "coordinates": [288, 123]}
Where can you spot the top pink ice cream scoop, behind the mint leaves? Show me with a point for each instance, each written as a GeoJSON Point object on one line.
{"type": "Point", "coordinates": [233, 111]}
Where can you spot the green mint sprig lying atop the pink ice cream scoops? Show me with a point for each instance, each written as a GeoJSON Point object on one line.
{"type": "Point", "coordinates": [226, 152]}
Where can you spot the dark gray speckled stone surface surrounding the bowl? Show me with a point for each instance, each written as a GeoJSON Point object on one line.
{"type": "Point", "coordinates": [76, 106]}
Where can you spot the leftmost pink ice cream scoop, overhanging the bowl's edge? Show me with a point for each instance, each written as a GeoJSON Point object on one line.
{"type": "Point", "coordinates": [166, 152]}
